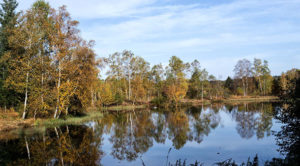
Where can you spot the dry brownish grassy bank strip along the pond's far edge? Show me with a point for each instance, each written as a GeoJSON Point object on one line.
{"type": "Point", "coordinates": [8, 124]}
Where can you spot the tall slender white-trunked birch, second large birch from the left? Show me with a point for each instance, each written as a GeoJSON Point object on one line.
{"type": "Point", "coordinates": [64, 41]}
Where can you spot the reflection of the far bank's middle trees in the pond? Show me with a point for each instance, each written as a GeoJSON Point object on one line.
{"type": "Point", "coordinates": [132, 134]}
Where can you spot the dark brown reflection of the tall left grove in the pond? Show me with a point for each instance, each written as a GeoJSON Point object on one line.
{"type": "Point", "coordinates": [59, 146]}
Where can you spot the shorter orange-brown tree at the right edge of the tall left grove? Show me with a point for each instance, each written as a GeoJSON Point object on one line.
{"type": "Point", "coordinates": [83, 75]}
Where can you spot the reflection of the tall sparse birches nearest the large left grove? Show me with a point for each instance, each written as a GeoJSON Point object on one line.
{"type": "Point", "coordinates": [131, 135]}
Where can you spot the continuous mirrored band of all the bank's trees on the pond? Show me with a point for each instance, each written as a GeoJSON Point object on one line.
{"type": "Point", "coordinates": [132, 134]}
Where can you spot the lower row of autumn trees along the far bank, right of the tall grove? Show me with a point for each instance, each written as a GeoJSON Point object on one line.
{"type": "Point", "coordinates": [130, 78]}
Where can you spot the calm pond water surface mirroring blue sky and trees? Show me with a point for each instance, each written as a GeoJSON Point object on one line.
{"type": "Point", "coordinates": [207, 134]}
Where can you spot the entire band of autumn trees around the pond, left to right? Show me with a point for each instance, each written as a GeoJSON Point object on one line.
{"type": "Point", "coordinates": [48, 71]}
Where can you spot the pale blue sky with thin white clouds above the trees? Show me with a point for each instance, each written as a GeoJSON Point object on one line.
{"type": "Point", "coordinates": [216, 32]}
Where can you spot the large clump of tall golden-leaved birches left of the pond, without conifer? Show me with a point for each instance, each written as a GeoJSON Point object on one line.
{"type": "Point", "coordinates": [49, 63]}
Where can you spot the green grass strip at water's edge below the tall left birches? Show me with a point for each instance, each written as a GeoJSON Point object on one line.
{"type": "Point", "coordinates": [68, 120]}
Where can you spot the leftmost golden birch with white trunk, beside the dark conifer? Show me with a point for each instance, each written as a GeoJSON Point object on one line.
{"type": "Point", "coordinates": [28, 56]}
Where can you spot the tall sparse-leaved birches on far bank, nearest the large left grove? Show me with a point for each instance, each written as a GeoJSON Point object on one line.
{"type": "Point", "coordinates": [133, 69]}
